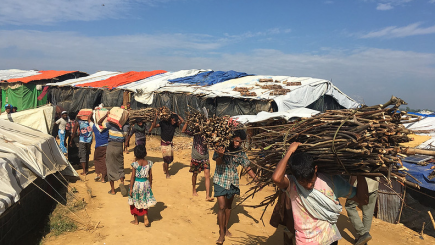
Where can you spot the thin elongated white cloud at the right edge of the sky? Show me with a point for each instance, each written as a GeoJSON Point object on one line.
{"type": "Point", "coordinates": [397, 32]}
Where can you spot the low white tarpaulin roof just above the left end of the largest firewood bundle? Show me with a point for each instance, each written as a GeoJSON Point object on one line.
{"type": "Point", "coordinates": [287, 115]}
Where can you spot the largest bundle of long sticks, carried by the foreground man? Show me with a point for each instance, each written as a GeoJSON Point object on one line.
{"type": "Point", "coordinates": [362, 141]}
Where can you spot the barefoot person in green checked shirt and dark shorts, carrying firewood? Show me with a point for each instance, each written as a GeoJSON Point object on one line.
{"type": "Point", "coordinates": [226, 179]}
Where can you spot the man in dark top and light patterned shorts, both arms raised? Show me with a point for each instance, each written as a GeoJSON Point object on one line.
{"type": "Point", "coordinates": [167, 134]}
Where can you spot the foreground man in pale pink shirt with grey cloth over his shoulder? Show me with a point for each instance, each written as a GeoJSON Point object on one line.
{"type": "Point", "coordinates": [314, 197]}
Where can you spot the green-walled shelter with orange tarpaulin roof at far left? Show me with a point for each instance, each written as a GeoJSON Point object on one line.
{"type": "Point", "coordinates": [27, 92]}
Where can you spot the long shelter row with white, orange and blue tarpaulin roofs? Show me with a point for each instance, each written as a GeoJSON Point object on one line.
{"type": "Point", "coordinates": [221, 92]}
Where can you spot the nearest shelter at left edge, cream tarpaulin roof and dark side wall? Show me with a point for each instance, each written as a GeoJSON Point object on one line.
{"type": "Point", "coordinates": [28, 158]}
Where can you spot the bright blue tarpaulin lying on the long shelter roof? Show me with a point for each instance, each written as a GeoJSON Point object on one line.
{"type": "Point", "coordinates": [210, 77]}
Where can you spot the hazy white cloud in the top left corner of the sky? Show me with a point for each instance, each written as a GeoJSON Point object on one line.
{"type": "Point", "coordinates": [51, 11]}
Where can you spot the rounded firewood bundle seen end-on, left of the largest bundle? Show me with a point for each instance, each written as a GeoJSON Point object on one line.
{"type": "Point", "coordinates": [217, 130]}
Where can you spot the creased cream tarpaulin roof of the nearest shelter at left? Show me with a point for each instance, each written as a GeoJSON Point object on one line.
{"type": "Point", "coordinates": [28, 152]}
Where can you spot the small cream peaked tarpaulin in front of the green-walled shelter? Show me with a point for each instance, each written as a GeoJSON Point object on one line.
{"type": "Point", "coordinates": [40, 118]}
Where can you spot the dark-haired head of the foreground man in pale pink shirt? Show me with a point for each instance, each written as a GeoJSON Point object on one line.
{"type": "Point", "coordinates": [304, 169]}
